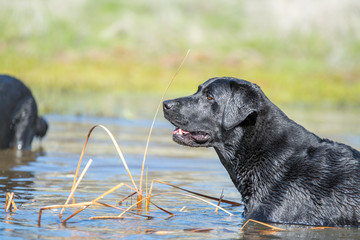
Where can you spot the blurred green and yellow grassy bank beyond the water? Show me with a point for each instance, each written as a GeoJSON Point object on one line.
{"type": "Point", "coordinates": [106, 57]}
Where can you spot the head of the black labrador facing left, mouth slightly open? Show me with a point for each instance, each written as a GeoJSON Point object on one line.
{"type": "Point", "coordinates": [219, 106]}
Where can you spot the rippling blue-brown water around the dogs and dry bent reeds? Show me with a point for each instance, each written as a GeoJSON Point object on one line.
{"type": "Point", "coordinates": [44, 177]}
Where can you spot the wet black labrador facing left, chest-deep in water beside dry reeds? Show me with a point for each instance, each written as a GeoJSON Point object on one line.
{"type": "Point", "coordinates": [284, 173]}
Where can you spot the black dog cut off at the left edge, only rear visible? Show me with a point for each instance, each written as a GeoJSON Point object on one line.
{"type": "Point", "coordinates": [19, 121]}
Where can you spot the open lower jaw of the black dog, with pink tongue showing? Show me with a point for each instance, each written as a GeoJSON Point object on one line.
{"type": "Point", "coordinates": [191, 139]}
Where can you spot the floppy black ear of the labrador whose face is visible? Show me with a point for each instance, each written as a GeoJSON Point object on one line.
{"type": "Point", "coordinates": [242, 105]}
